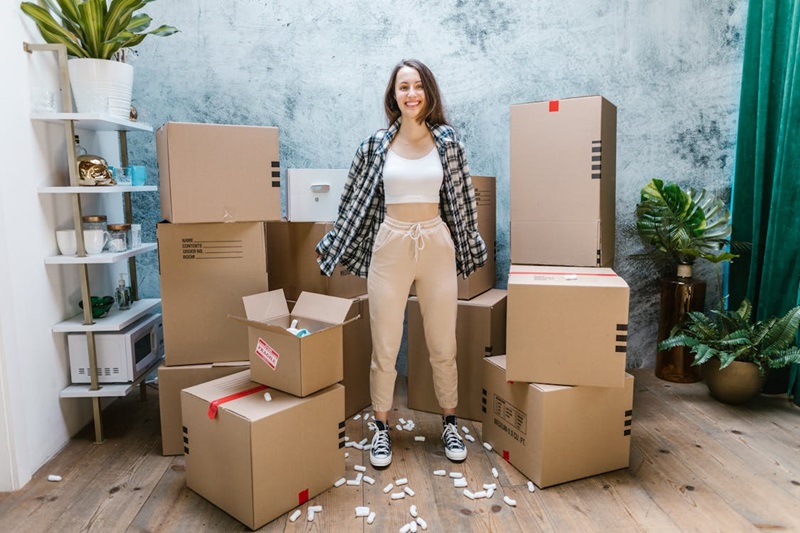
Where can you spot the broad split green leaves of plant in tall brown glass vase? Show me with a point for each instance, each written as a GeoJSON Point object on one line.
{"type": "Point", "coordinates": [683, 225]}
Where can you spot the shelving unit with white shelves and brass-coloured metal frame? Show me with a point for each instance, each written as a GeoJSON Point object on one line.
{"type": "Point", "coordinates": [116, 319]}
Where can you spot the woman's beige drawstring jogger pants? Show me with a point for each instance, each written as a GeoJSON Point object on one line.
{"type": "Point", "coordinates": [403, 253]}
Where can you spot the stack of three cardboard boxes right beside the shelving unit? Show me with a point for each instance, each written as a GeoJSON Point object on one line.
{"type": "Point", "coordinates": [218, 184]}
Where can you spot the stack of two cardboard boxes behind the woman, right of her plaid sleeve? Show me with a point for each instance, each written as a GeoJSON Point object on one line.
{"type": "Point", "coordinates": [480, 323]}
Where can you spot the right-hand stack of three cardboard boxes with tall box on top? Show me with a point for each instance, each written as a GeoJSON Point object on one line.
{"type": "Point", "coordinates": [558, 405]}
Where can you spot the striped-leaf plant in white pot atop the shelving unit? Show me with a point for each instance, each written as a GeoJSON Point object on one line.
{"type": "Point", "coordinates": [96, 34]}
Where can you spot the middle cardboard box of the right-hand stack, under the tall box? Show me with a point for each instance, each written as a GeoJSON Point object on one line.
{"type": "Point", "coordinates": [567, 326]}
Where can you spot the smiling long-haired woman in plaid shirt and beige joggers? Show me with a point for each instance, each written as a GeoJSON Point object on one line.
{"type": "Point", "coordinates": [408, 215]}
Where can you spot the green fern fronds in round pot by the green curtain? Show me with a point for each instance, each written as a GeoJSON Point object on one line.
{"type": "Point", "coordinates": [733, 336]}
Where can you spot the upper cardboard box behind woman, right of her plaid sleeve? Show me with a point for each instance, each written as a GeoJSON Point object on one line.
{"type": "Point", "coordinates": [482, 279]}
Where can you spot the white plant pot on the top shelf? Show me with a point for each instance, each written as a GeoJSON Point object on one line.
{"type": "Point", "coordinates": [101, 86]}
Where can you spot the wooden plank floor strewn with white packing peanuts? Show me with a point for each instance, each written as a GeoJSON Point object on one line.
{"type": "Point", "coordinates": [696, 465]}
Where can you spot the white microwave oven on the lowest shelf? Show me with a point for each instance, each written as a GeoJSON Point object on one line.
{"type": "Point", "coordinates": [122, 356]}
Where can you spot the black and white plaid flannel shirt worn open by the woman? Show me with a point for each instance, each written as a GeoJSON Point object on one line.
{"type": "Point", "coordinates": [362, 207]}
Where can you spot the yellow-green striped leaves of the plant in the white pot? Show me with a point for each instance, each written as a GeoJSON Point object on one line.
{"type": "Point", "coordinates": [94, 28]}
